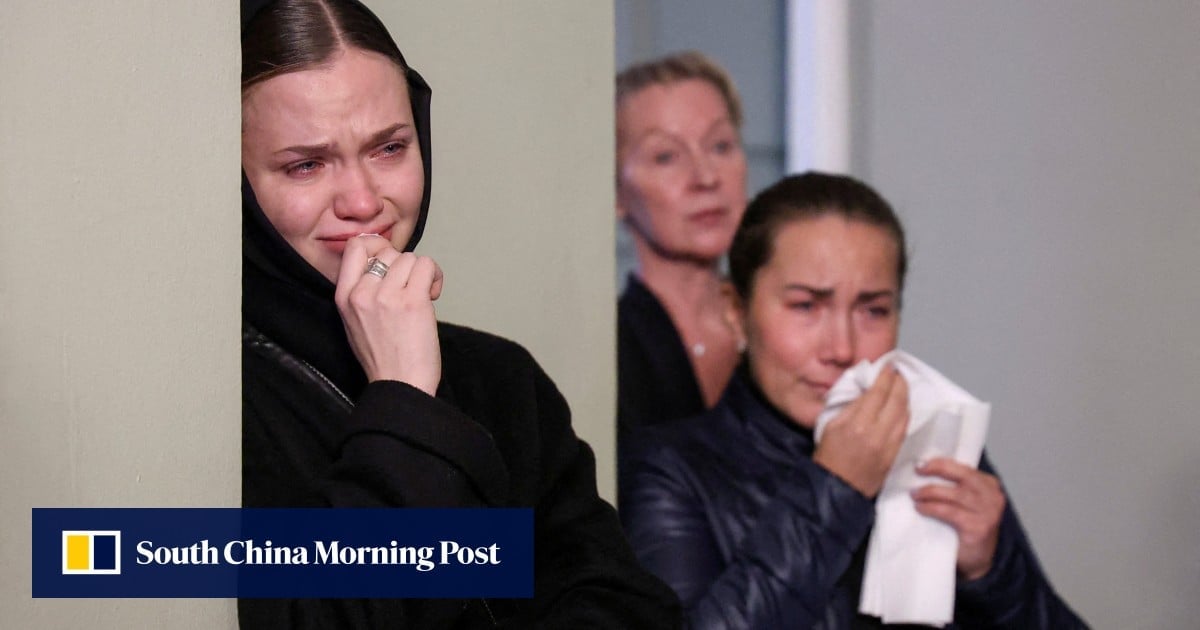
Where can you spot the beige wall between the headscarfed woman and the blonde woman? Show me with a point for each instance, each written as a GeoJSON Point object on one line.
{"type": "Point", "coordinates": [521, 218]}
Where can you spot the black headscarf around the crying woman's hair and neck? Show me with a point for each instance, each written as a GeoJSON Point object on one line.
{"type": "Point", "coordinates": [286, 298]}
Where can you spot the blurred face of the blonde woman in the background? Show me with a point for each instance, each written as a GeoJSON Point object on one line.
{"type": "Point", "coordinates": [681, 170]}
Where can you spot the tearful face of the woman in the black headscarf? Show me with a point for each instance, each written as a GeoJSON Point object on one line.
{"type": "Point", "coordinates": [333, 153]}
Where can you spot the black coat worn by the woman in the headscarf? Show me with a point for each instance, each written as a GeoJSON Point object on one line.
{"type": "Point", "coordinates": [497, 435]}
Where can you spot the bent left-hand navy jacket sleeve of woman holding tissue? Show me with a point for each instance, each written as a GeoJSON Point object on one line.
{"type": "Point", "coordinates": [788, 565]}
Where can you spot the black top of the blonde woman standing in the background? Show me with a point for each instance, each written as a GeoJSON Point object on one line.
{"type": "Point", "coordinates": [656, 382]}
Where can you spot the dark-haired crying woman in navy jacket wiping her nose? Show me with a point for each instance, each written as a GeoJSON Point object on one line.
{"type": "Point", "coordinates": [752, 521]}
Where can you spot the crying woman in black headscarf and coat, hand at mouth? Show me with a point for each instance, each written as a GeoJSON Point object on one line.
{"type": "Point", "coordinates": [355, 395]}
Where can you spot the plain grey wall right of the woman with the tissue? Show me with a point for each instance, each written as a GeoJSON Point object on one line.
{"type": "Point", "coordinates": [1046, 158]}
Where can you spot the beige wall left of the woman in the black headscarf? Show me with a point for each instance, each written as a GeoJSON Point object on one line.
{"type": "Point", "coordinates": [119, 278]}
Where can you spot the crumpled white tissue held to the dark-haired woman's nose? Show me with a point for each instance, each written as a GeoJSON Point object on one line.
{"type": "Point", "coordinates": [909, 577]}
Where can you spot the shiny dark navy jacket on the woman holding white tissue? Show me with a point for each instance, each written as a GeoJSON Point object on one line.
{"type": "Point", "coordinates": [731, 511]}
